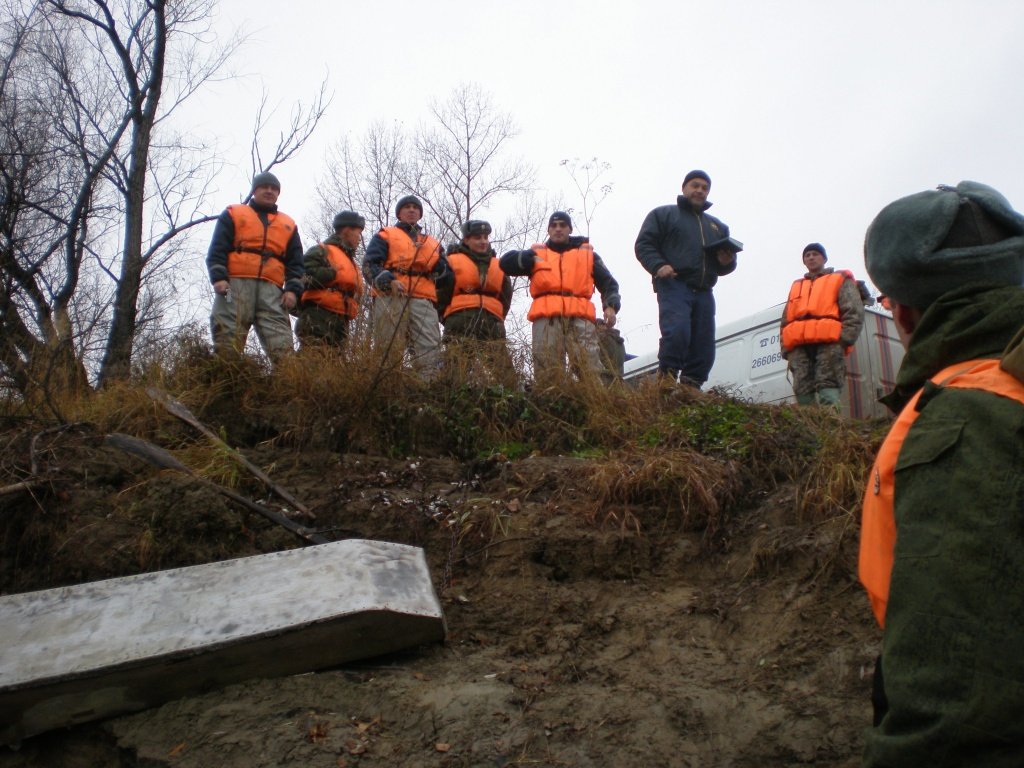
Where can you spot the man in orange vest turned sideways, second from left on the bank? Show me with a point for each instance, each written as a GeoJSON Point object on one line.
{"type": "Point", "coordinates": [333, 284]}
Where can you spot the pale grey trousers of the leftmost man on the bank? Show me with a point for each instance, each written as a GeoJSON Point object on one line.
{"type": "Point", "coordinates": [251, 304]}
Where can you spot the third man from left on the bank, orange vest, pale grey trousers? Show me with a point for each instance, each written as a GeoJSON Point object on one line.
{"type": "Point", "coordinates": [402, 265]}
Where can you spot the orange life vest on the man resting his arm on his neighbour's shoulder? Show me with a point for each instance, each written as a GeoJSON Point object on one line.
{"type": "Point", "coordinates": [563, 283]}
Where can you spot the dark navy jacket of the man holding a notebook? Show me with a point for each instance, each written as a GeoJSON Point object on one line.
{"type": "Point", "coordinates": [676, 236]}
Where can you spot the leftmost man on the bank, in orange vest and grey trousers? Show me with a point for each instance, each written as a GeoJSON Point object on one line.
{"type": "Point", "coordinates": [255, 266]}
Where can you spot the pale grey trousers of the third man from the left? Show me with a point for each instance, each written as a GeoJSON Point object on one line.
{"type": "Point", "coordinates": [403, 323]}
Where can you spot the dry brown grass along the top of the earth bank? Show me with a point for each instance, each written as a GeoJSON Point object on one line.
{"type": "Point", "coordinates": [663, 456]}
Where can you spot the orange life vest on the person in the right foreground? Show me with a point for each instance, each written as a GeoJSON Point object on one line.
{"type": "Point", "coordinates": [878, 531]}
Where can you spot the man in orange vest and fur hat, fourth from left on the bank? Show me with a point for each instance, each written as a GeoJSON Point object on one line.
{"type": "Point", "coordinates": [475, 297]}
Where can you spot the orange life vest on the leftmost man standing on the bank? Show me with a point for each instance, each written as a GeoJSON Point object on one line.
{"type": "Point", "coordinates": [260, 249]}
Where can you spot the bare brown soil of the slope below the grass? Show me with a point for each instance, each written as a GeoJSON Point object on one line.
{"type": "Point", "coordinates": [578, 636]}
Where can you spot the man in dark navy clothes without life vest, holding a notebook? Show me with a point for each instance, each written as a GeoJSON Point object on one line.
{"type": "Point", "coordinates": [673, 247]}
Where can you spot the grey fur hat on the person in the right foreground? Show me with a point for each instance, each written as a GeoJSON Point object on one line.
{"type": "Point", "coordinates": [925, 245]}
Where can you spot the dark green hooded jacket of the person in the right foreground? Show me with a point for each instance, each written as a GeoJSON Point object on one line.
{"type": "Point", "coordinates": [953, 657]}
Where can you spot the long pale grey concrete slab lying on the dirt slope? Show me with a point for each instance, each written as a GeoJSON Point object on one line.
{"type": "Point", "coordinates": [99, 650]}
